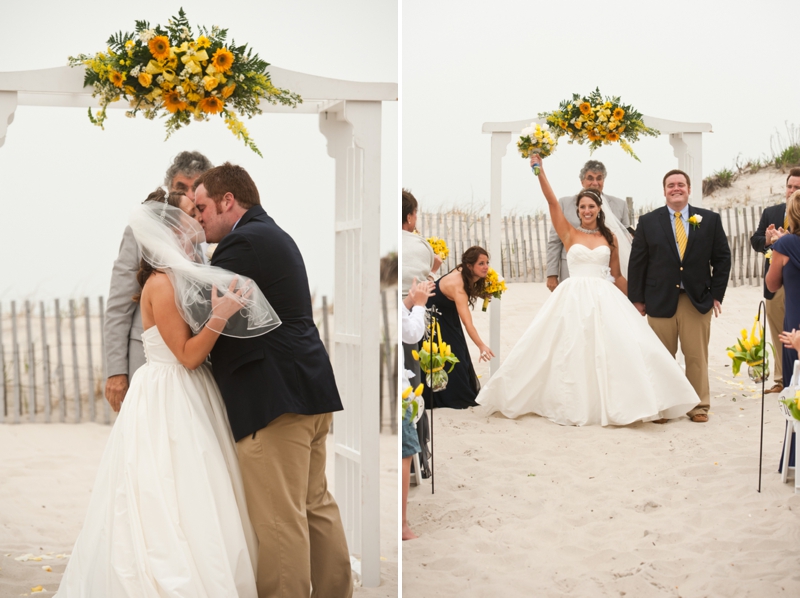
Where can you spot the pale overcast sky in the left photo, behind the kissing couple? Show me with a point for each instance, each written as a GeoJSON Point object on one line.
{"type": "Point", "coordinates": [68, 187]}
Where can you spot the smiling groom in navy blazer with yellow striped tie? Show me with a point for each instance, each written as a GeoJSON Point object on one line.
{"type": "Point", "coordinates": [677, 275]}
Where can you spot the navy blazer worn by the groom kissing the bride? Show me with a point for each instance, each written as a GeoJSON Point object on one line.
{"type": "Point", "coordinates": [286, 370]}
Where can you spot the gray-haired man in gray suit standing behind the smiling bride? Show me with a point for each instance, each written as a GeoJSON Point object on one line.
{"type": "Point", "coordinates": [593, 176]}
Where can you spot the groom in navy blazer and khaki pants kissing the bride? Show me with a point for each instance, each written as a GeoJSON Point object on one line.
{"type": "Point", "coordinates": [280, 392]}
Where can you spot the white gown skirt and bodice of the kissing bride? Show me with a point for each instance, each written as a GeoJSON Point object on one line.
{"type": "Point", "coordinates": [167, 516]}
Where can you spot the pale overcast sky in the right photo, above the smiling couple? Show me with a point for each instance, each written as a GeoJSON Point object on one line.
{"type": "Point", "coordinates": [733, 64]}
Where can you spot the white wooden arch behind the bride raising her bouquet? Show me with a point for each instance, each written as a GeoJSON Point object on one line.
{"type": "Point", "coordinates": [686, 140]}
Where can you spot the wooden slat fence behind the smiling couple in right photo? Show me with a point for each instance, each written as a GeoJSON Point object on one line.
{"type": "Point", "coordinates": [524, 241]}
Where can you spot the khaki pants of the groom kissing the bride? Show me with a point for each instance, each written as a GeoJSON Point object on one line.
{"type": "Point", "coordinates": [300, 534]}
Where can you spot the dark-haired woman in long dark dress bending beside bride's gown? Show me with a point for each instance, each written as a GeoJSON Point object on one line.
{"type": "Point", "coordinates": [455, 295]}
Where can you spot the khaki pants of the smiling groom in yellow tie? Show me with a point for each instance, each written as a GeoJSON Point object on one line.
{"type": "Point", "coordinates": [694, 330]}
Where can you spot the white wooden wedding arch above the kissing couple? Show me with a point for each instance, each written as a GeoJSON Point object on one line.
{"type": "Point", "coordinates": [349, 116]}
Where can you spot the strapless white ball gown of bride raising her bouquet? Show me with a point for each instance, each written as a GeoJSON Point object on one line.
{"type": "Point", "coordinates": [589, 357]}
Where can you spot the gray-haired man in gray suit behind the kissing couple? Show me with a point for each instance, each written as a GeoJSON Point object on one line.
{"type": "Point", "coordinates": [122, 332]}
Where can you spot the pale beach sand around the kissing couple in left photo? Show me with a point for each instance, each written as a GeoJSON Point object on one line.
{"type": "Point", "coordinates": [46, 477]}
